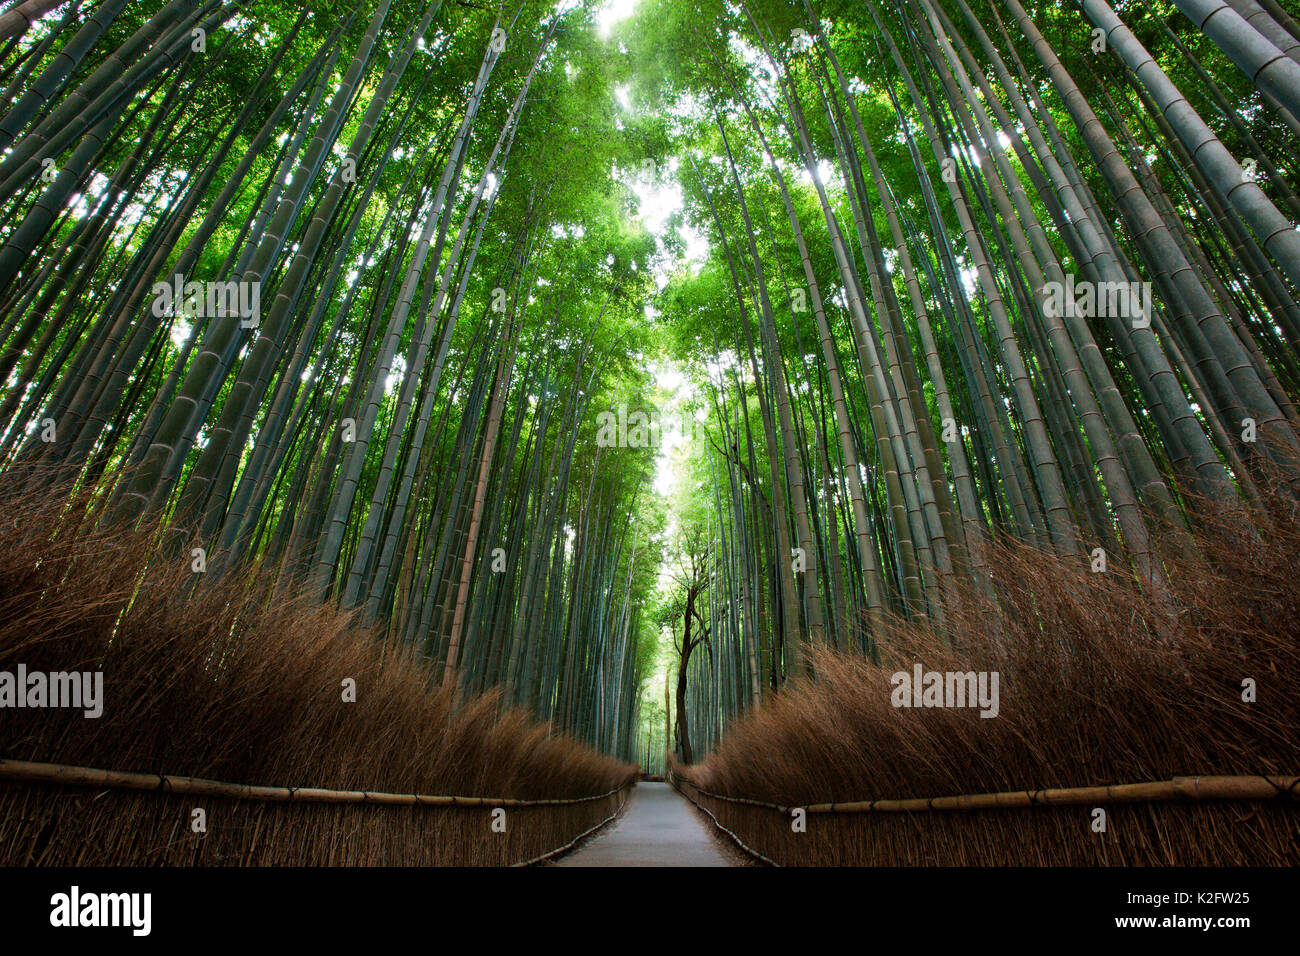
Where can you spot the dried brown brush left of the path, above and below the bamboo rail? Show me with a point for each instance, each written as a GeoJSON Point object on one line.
{"type": "Point", "coordinates": [228, 684]}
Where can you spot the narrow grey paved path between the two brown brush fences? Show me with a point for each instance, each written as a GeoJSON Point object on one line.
{"type": "Point", "coordinates": [657, 829]}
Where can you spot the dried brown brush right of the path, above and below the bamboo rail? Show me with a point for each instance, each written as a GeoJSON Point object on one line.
{"type": "Point", "coordinates": [1100, 684]}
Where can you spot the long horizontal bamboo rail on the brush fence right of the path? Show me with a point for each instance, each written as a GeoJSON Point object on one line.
{"type": "Point", "coordinates": [1258, 788]}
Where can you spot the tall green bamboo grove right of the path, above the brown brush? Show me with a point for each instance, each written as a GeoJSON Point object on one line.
{"type": "Point", "coordinates": [902, 201]}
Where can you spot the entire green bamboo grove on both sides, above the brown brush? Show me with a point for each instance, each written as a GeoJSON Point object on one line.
{"type": "Point", "coordinates": [343, 297]}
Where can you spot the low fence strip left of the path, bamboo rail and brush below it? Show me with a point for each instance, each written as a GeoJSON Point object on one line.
{"type": "Point", "coordinates": [135, 819]}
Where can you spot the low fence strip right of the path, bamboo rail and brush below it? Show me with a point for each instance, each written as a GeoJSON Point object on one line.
{"type": "Point", "coordinates": [1155, 823]}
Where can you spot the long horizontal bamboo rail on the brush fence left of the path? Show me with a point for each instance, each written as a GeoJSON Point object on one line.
{"type": "Point", "coordinates": [59, 775]}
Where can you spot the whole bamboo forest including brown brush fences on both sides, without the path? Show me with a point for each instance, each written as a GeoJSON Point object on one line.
{"type": "Point", "coordinates": [405, 399]}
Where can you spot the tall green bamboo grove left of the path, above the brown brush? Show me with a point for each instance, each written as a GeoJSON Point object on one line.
{"type": "Point", "coordinates": [392, 409]}
